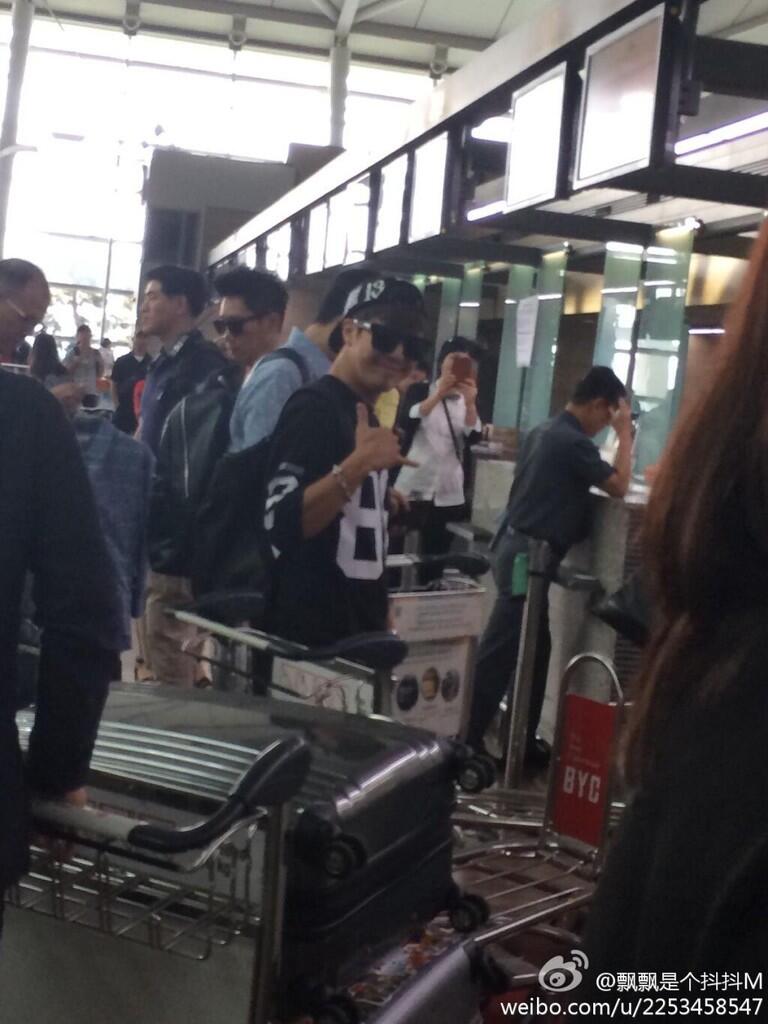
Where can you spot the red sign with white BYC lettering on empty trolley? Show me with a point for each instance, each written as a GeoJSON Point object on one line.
{"type": "Point", "coordinates": [584, 771]}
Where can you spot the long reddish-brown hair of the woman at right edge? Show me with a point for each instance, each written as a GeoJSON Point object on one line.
{"type": "Point", "coordinates": [707, 534]}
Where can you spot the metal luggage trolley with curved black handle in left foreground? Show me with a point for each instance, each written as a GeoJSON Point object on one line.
{"type": "Point", "coordinates": [189, 886]}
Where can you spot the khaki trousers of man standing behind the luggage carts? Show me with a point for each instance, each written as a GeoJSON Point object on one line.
{"type": "Point", "coordinates": [162, 637]}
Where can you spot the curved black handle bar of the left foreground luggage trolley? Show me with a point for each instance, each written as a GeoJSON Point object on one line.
{"type": "Point", "coordinates": [276, 777]}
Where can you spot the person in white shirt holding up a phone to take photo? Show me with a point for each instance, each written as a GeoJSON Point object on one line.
{"type": "Point", "coordinates": [438, 421]}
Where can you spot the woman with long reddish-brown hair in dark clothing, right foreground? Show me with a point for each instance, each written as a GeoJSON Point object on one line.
{"type": "Point", "coordinates": [686, 888]}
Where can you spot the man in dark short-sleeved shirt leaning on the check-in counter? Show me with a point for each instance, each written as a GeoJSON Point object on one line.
{"type": "Point", "coordinates": [549, 501]}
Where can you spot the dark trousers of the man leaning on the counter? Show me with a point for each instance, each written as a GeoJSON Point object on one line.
{"type": "Point", "coordinates": [497, 657]}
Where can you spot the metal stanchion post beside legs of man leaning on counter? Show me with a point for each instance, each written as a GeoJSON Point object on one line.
{"type": "Point", "coordinates": [539, 562]}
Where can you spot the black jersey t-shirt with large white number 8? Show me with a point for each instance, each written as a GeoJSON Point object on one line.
{"type": "Point", "coordinates": [333, 585]}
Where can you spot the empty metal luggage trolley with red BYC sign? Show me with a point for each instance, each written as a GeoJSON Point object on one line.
{"type": "Point", "coordinates": [529, 882]}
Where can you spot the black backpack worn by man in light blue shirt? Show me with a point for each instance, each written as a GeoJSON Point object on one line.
{"type": "Point", "coordinates": [230, 550]}
